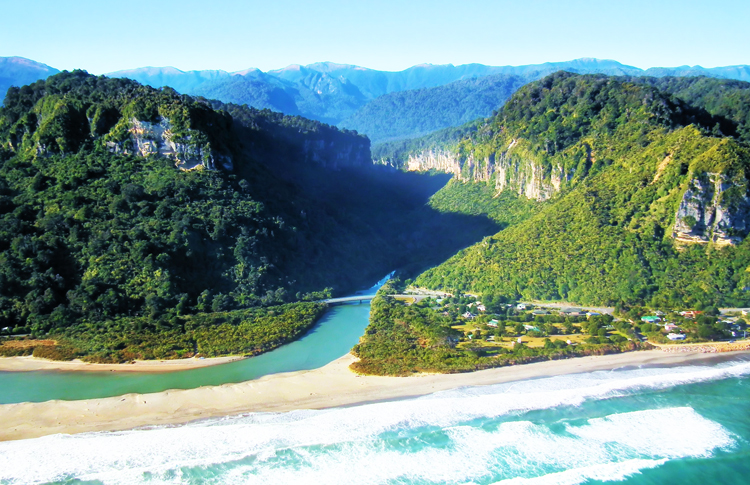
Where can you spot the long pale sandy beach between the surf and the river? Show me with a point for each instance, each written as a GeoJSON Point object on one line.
{"type": "Point", "coordinates": [333, 385]}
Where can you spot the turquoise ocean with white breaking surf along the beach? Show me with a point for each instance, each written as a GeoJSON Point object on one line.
{"type": "Point", "coordinates": [683, 425]}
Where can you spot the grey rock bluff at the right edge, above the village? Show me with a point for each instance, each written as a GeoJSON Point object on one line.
{"type": "Point", "coordinates": [713, 209]}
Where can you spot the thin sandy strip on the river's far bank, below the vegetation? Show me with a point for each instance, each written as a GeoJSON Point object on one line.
{"type": "Point", "coordinates": [29, 363]}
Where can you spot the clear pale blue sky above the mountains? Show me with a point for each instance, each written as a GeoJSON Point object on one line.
{"type": "Point", "coordinates": [102, 36]}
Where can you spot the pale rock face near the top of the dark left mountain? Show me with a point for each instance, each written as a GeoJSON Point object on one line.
{"type": "Point", "coordinates": [189, 151]}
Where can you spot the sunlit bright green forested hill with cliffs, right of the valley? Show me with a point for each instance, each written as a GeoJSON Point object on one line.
{"type": "Point", "coordinates": [642, 198]}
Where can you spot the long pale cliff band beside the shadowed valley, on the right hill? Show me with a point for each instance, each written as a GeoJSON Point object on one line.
{"type": "Point", "coordinates": [508, 170]}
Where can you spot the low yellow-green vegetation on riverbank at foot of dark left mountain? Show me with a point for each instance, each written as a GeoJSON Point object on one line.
{"type": "Point", "coordinates": [239, 332]}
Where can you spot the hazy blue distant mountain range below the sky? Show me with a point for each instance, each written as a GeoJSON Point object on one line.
{"type": "Point", "coordinates": [382, 104]}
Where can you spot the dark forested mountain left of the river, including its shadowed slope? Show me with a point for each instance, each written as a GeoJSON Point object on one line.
{"type": "Point", "coordinates": [136, 219]}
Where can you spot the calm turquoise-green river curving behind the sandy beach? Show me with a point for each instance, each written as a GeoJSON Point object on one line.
{"type": "Point", "coordinates": [332, 337]}
